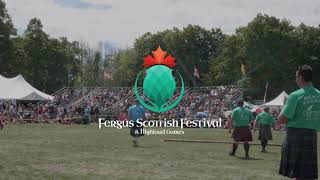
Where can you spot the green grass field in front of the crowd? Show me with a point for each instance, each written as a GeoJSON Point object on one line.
{"type": "Point", "coordinates": [51, 151]}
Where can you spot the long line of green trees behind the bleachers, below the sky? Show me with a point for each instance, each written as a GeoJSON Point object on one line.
{"type": "Point", "coordinates": [266, 50]}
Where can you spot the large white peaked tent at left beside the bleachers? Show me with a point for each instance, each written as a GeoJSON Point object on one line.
{"type": "Point", "coordinates": [18, 88]}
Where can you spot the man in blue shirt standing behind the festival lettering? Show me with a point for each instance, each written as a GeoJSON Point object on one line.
{"type": "Point", "coordinates": [136, 113]}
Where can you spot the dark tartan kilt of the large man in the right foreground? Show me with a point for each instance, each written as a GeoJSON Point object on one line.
{"type": "Point", "coordinates": [299, 154]}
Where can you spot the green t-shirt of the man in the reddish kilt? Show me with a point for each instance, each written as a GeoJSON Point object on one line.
{"type": "Point", "coordinates": [241, 117]}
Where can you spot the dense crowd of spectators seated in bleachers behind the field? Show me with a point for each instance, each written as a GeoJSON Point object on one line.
{"type": "Point", "coordinates": [71, 104]}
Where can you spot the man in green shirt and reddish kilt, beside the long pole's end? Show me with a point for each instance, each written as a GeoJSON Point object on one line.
{"type": "Point", "coordinates": [240, 120]}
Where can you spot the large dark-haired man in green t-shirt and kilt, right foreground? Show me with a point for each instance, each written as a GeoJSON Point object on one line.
{"type": "Point", "coordinates": [301, 114]}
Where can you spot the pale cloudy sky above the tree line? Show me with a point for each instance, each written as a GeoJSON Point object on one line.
{"type": "Point", "coordinates": [128, 19]}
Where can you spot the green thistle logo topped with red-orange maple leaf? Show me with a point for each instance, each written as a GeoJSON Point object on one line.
{"type": "Point", "coordinates": [159, 84]}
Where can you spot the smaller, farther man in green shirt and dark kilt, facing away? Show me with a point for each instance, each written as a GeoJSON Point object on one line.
{"type": "Point", "coordinates": [265, 121]}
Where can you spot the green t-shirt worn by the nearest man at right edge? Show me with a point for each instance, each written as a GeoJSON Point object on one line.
{"type": "Point", "coordinates": [303, 108]}
